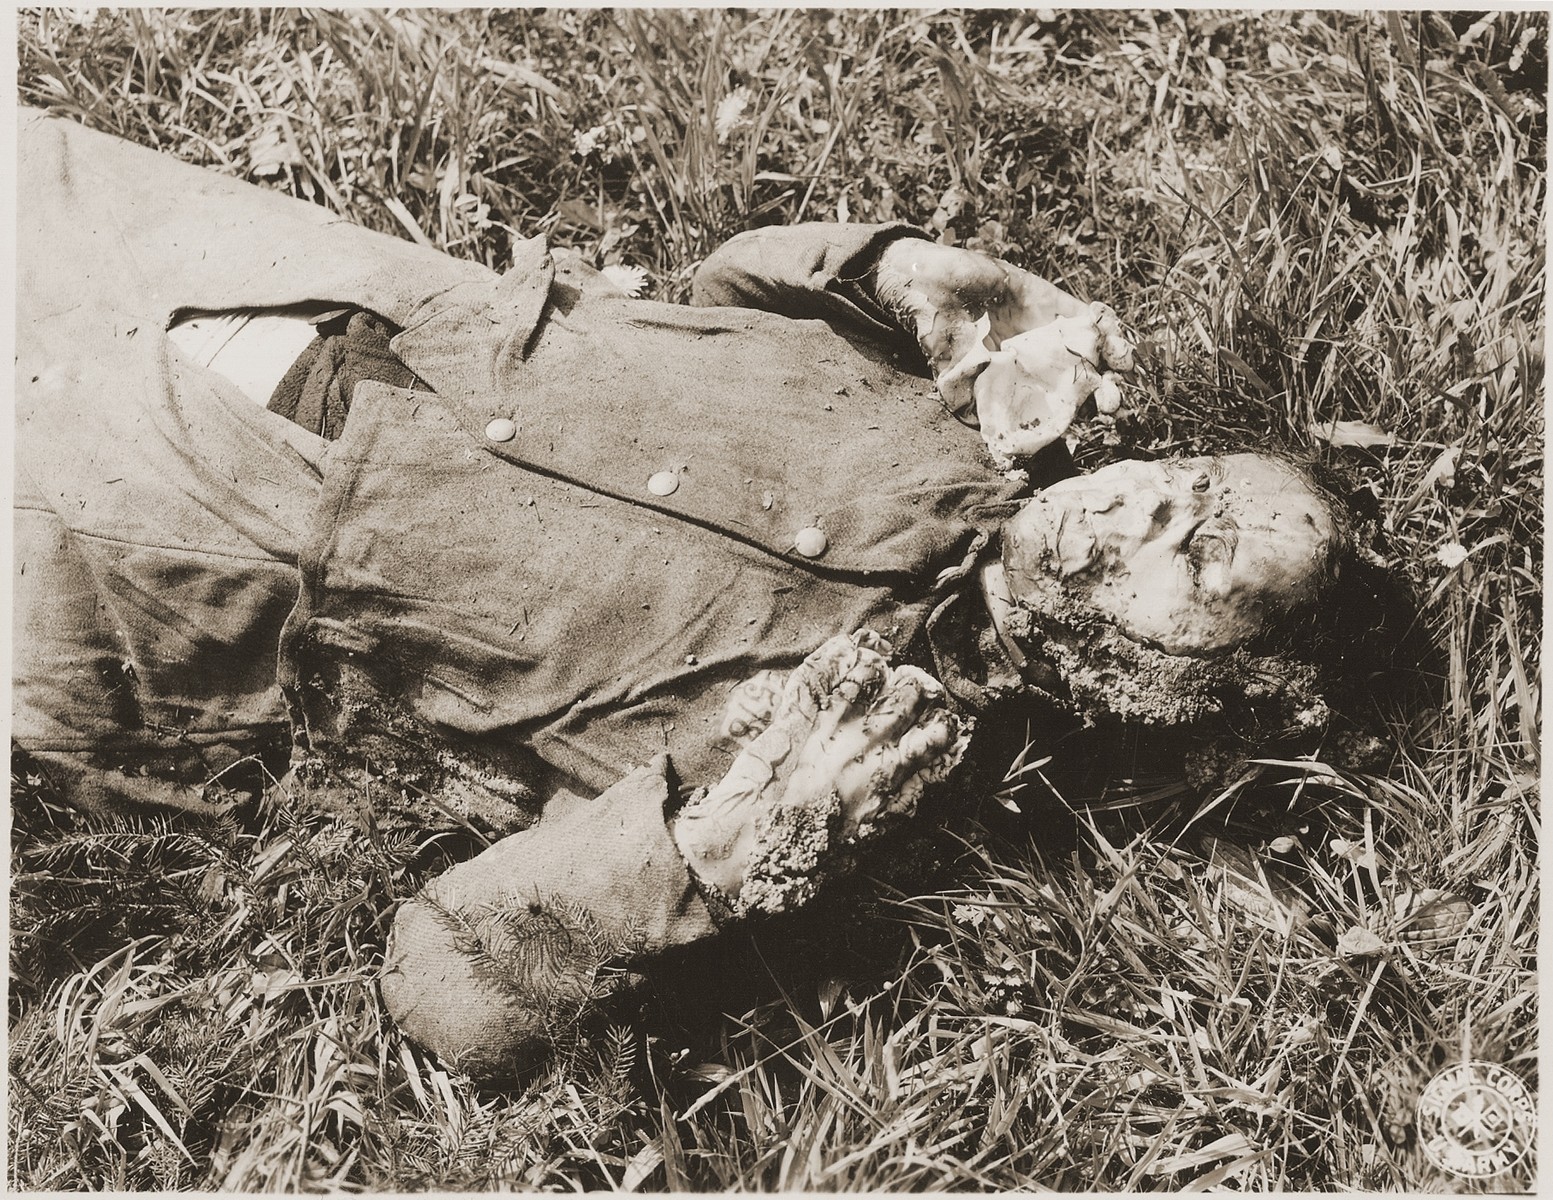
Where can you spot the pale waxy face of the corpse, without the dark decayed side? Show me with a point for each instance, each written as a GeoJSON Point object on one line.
{"type": "Point", "coordinates": [1189, 555]}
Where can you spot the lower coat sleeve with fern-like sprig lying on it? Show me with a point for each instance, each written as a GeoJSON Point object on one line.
{"type": "Point", "coordinates": [502, 955]}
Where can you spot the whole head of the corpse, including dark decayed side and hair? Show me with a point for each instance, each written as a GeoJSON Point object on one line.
{"type": "Point", "coordinates": [1265, 631]}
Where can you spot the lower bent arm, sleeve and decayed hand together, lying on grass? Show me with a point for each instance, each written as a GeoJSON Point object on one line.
{"type": "Point", "coordinates": [496, 959]}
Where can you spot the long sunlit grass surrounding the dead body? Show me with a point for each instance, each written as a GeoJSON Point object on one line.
{"type": "Point", "coordinates": [1318, 223]}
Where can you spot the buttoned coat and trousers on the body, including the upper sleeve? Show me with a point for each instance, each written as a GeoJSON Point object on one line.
{"type": "Point", "coordinates": [200, 578]}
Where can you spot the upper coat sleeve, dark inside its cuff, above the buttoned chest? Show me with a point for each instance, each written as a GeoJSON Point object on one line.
{"type": "Point", "coordinates": [810, 271]}
